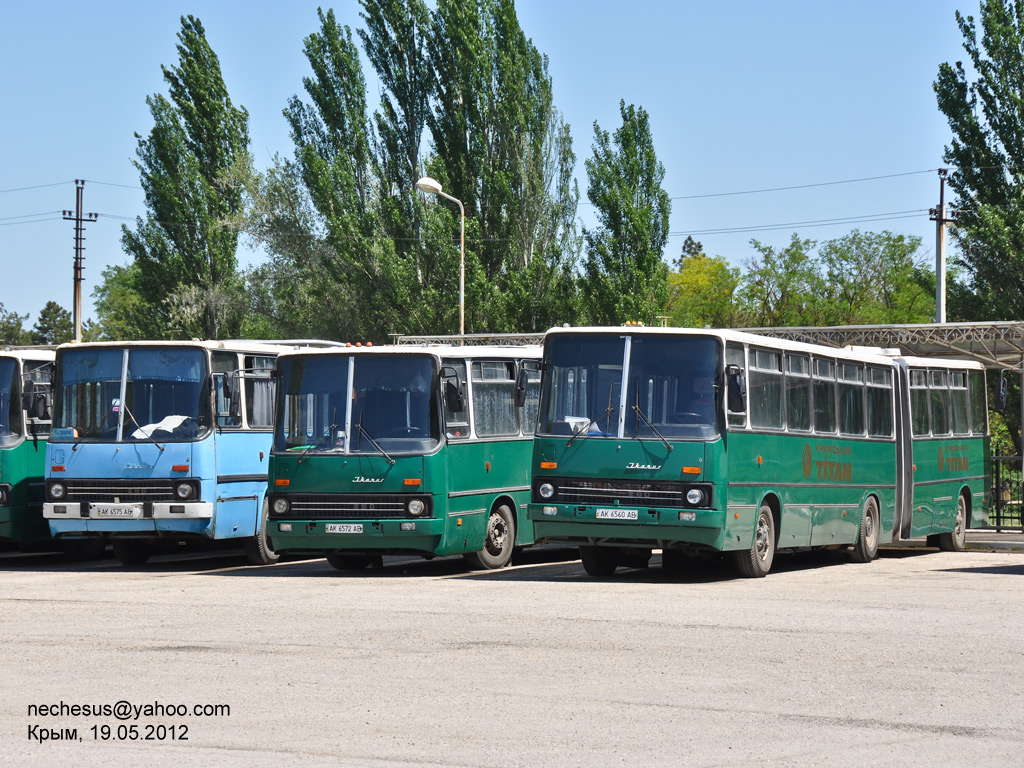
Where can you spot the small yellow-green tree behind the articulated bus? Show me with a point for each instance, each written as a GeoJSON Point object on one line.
{"type": "Point", "coordinates": [702, 291]}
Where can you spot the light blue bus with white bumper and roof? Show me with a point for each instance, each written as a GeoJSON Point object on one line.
{"type": "Point", "coordinates": [162, 442]}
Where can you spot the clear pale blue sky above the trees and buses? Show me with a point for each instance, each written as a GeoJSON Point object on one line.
{"type": "Point", "coordinates": [744, 97]}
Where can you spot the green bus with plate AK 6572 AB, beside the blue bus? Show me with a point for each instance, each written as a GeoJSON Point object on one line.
{"type": "Point", "coordinates": [404, 450]}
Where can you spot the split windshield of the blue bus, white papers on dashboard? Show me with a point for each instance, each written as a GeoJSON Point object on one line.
{"type": "Point", "coordinates": [163, 393]}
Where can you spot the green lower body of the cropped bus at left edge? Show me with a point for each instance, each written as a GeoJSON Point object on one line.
{"type": "Point", "coordinates": [23, 467]}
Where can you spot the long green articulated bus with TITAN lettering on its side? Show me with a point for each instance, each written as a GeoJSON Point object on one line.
{"type": "Point", "coordinates": [700, 441]}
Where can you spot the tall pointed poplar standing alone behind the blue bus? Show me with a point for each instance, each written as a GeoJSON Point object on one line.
{"type": "Point", "coordinates": [185, 254]}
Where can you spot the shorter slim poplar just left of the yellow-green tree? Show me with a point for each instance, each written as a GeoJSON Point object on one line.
{"type": "Point", "coordinates": [626, 279]}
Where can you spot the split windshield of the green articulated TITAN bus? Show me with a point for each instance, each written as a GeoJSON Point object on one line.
{"type": "Point", "coordinates": [671, 387]}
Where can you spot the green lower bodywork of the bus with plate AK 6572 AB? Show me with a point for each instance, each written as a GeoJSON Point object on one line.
{"type": "Point", "coordinates": [464, 480]}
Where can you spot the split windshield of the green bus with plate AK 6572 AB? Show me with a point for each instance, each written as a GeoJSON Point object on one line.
{"type": "Point", "coordinates": [395, 405]}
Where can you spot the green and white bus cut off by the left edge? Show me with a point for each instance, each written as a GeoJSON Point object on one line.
{"type": "Point", "coordinates": [26, 379]}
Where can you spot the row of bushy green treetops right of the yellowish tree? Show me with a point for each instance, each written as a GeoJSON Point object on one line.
{"type": "Point", "coordinates": [860, 279]}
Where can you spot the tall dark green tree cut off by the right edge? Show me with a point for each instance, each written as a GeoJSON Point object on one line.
{"type": "Point", "coordinates": [987, 116]}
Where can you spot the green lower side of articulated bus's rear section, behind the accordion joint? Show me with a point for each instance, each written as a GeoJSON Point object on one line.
{"type": "Point", "coordinates": [945, 468]}
